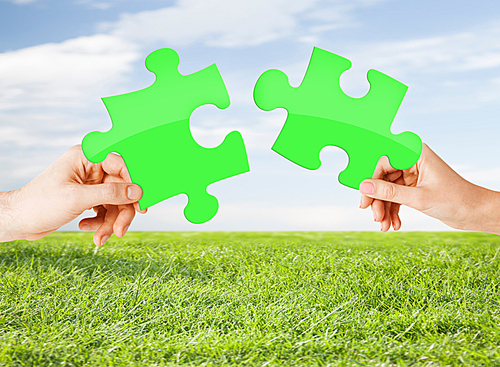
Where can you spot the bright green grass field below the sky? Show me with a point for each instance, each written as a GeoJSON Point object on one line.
{"type": "Point", "coordinates": [261, 299]}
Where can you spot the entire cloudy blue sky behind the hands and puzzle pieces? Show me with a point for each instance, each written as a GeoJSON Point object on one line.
{"type": "Point", "coordinates": [58, 58]}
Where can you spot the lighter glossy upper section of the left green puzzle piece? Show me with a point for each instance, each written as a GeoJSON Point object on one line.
{"type": "Point", "coordinates": [172, 97]}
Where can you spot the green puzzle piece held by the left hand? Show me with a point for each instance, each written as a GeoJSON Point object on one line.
{"type": "Point", "coordinates": [151, 132]}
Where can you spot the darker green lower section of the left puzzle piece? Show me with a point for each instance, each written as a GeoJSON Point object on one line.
{"type": "Point", "coordinates": [206, 166]}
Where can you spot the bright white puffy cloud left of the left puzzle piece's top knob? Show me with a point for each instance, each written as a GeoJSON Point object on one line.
{"type": "Point", "coordinates": [64, 74]}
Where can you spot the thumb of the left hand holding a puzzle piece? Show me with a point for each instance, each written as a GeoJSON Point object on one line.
{"type": "Point", "coordinates": [109, 193]}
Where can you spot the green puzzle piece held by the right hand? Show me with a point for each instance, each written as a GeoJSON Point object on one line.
{"type": "Point", "coordinates": [320, 114]}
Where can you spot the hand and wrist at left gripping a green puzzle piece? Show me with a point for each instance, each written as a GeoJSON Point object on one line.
{"type": "Point", "coordinates": [65, 190]}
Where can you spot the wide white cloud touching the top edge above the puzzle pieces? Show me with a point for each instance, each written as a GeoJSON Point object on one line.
{"type": "Point", "coordinates": [227, 23]}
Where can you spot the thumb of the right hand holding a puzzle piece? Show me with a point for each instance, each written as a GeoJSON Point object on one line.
{"type": "Point", "coordinates": [388, 191]}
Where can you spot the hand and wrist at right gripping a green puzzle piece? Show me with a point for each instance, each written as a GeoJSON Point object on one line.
{"type": "Point", "coordinates": [435, 189]}
